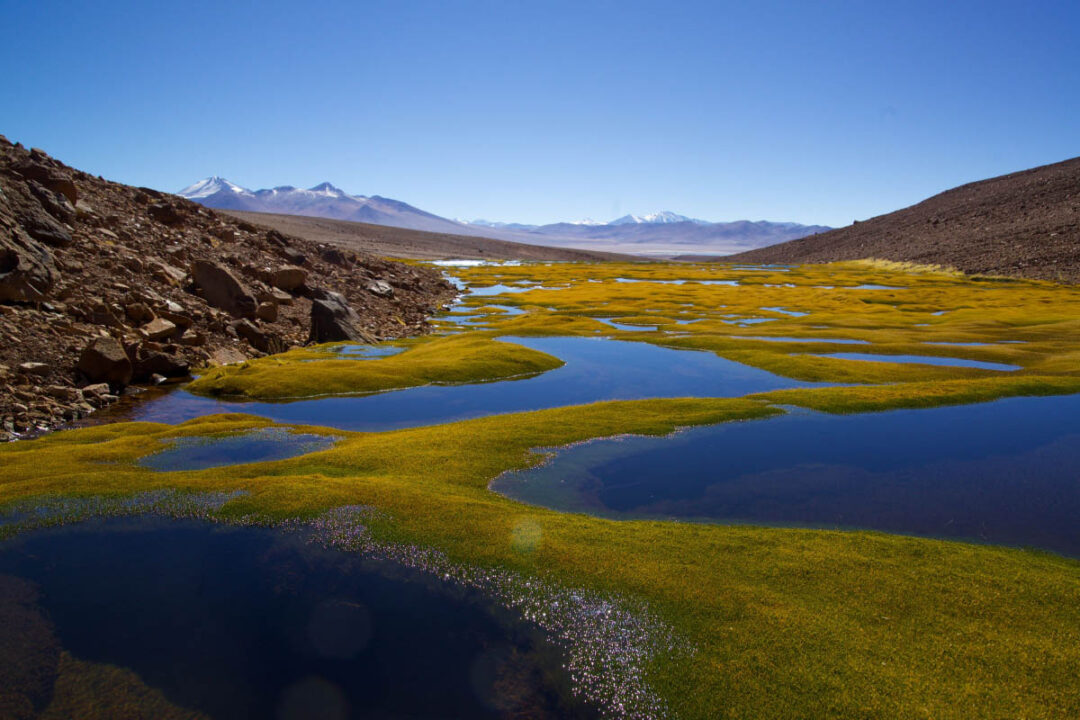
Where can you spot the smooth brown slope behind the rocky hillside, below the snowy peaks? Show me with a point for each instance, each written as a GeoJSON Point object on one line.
{"type": "Point", "coordinates": [416, 244]}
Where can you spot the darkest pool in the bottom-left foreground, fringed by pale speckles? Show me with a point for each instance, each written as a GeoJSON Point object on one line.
{"type": "Point", "coordinates": [255, 623]}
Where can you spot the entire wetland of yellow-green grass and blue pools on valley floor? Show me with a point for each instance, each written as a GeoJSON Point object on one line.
{"type": "Point", "coordinates": [616, 491]}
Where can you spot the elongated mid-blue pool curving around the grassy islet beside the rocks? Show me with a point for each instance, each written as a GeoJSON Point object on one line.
{"type": "Point", "coordinates": [597, 370]}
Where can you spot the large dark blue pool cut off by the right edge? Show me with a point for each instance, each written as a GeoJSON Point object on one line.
{"type": "Point", "coordinates": [1006, 472]}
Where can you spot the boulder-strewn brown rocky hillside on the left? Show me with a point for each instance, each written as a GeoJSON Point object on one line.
{"type": "Point", "coordinates": [104, 286]}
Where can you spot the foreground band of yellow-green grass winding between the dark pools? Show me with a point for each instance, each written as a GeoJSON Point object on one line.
{"type": "Point", "coordinates": [787, 622]}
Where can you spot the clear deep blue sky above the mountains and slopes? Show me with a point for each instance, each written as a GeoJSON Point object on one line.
{"type": "Point", "coordinates": [544, 112]}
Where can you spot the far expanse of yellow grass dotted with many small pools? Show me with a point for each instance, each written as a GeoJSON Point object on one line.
{"type": "Point", "coordinates": [1034, 325]}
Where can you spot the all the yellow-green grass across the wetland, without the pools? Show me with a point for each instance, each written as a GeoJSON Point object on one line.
{"type": "Point", "coordinates": [787, 622]}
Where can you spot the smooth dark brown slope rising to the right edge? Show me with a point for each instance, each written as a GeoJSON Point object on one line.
{"type": "Point", "coordinates": [1024, 225]}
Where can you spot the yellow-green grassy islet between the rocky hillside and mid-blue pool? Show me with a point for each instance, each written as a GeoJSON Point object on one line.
{"type": "Point", "coordinates": [306, 373]}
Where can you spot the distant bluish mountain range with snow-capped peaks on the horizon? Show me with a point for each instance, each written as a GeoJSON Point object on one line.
{"type": "Point", "coordinates": [658, 234]}
